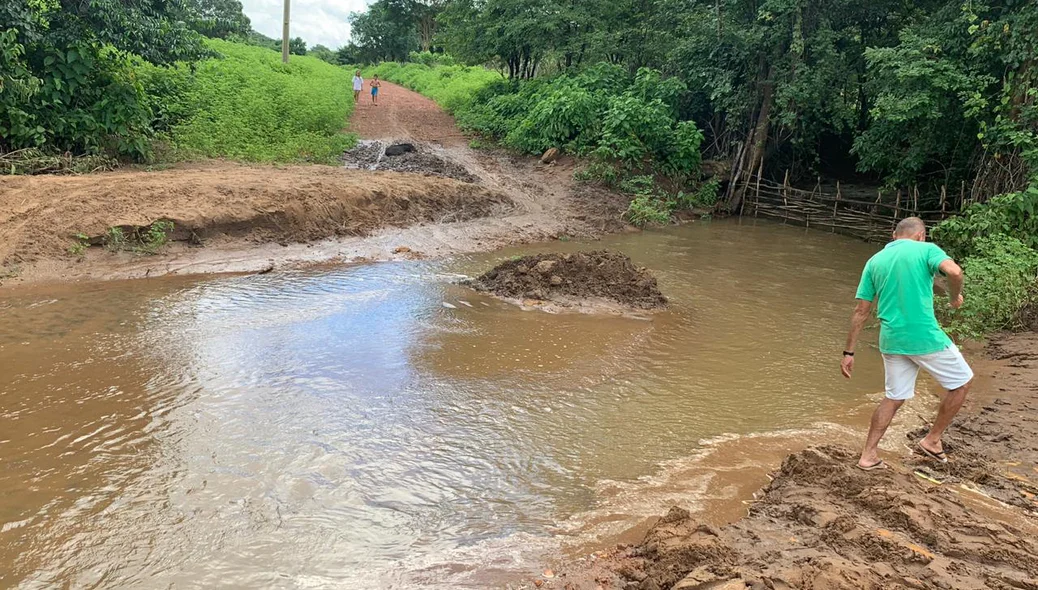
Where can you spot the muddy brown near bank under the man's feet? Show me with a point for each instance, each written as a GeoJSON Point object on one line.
{"type": "Point", "coordinates": [823, 524]}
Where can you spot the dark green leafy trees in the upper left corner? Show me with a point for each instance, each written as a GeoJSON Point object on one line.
{"type": "Point", "coordinates": [68, 82]}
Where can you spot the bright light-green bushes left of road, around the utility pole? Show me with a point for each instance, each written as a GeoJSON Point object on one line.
{"type": "Point", "coordinates": [249, 105]}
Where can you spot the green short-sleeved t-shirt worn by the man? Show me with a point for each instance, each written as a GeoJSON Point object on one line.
{"type": "Point", "coordinates": [903, 276]}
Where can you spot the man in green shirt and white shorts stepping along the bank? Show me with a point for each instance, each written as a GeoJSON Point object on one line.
{"type": "Point", "coordinates": [900, 281]}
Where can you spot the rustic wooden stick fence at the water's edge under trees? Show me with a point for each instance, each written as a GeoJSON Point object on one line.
{"type": "Point", "coordinates": [872, 222]}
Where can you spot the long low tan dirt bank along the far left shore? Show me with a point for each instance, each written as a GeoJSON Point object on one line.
{"type": "Point", "coordinates": [41, 217]}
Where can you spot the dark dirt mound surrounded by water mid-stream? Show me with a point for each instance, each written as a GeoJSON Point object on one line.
{"type": "Point", "coordinates": [572, 278]}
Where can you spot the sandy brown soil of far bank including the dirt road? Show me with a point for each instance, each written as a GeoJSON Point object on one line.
{"type": "Point", "coordinates": [256, 219]}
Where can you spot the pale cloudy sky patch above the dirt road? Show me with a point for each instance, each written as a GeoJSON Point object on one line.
{"type": "Point", "coordinates": [317, 21]}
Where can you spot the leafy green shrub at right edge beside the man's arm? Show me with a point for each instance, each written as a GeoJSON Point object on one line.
{"type": "Point", "coordinates": [1000, 278]}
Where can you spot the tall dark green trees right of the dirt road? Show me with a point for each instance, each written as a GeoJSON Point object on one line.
{"type": "Point", "coordinates": [928, 94]}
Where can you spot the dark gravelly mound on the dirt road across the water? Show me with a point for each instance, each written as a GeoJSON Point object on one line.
{"type": "Point", "coordinates": [374, 155]}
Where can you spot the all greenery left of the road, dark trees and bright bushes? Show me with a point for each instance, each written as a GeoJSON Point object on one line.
{"type": "Point", "coordinates": [100, 79]}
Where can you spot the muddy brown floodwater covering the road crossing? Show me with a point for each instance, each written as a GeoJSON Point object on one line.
{"type": "Point", "coordinates": [376, 426]}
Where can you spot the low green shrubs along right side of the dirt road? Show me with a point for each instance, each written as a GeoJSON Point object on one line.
{"type": "Point", "coordinates": [620, 119]}
